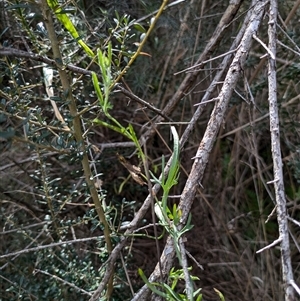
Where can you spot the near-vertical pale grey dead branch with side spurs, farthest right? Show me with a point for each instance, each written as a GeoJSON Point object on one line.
{"type": "Point", "coordinates": [287, 272]}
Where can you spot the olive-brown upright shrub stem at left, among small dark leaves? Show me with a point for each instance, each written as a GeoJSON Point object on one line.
{"type": "Point", "coordinates": [77, 129]}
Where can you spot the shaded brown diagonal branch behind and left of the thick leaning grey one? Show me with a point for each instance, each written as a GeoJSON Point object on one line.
{"type": "Point", "coordinates": [190, 78]}
